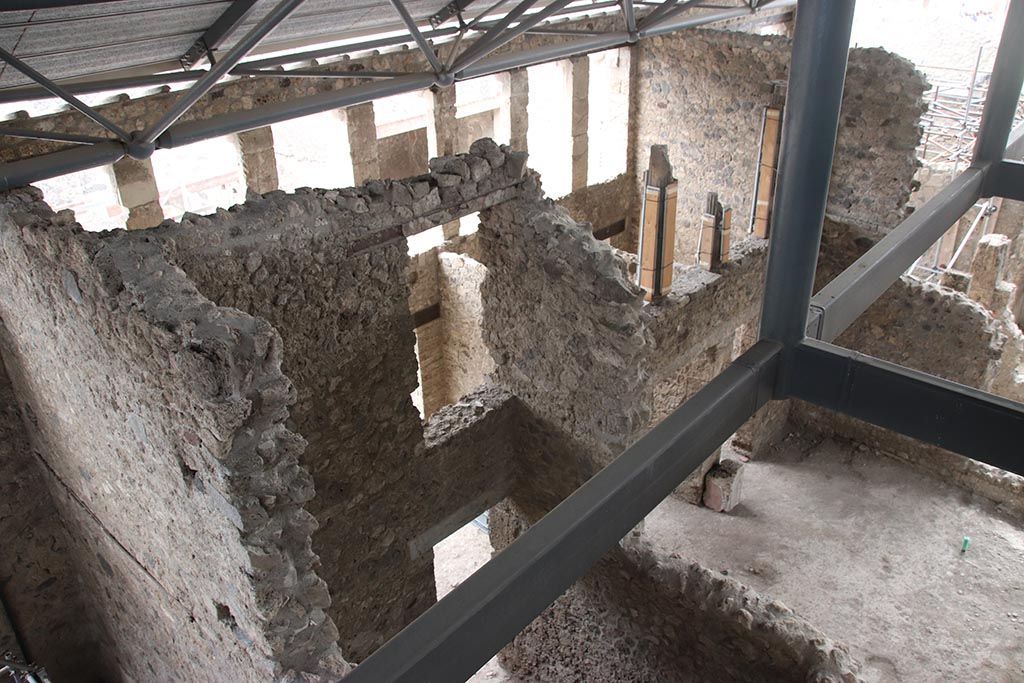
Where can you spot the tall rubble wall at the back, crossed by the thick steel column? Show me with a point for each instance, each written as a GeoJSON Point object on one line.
{"type": "Point", "coordinates": [703, 94]}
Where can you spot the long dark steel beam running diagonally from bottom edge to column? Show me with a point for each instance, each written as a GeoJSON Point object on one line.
{"type": "Point", "coordinates": [458, 635]}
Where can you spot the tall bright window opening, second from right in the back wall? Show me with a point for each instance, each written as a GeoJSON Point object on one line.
{"type": "Point", "coordinates": [550, 135]}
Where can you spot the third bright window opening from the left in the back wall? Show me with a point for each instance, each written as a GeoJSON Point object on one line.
{"type": "Point", "coordinates": [314, 152]}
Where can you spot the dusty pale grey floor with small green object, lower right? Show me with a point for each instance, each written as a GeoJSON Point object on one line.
{"type": "Point", "coordinates": [869, 550]}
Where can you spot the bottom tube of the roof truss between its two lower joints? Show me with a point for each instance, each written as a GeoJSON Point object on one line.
{"type": "Point", "coordinates": [237, 122]}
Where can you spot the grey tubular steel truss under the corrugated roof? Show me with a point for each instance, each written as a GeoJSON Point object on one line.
{"type": "Point", "coordinates": [476, 61]}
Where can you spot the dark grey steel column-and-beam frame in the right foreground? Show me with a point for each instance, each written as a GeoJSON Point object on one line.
{"type": "Point", "coordinates": [458, 635]}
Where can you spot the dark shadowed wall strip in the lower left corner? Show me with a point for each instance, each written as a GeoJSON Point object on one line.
{"type": "Point", "coordinates": [39, 582]}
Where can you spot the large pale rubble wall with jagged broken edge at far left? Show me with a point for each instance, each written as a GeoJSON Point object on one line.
{"type": "Point", "coordinates": [160, 420]}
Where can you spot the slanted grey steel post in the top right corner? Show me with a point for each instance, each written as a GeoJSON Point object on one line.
{"type": "Point", "coordinates": [1004, 90]}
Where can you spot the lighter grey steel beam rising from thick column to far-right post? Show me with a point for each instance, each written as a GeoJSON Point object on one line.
{"type": "Point", "coordinates": [845, 298]}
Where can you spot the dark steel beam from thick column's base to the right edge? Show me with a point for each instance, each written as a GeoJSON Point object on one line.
{"type": "Point", "coordinates": [955, 417]}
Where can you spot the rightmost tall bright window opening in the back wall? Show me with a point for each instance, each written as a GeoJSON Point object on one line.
{"type": "Point", "coordinates": [609, 115]}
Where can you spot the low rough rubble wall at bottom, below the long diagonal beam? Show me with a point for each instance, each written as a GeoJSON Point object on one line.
{"type": "Point", "coordinates": [649, 618]}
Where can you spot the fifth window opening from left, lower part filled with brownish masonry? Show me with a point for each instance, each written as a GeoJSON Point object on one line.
{"type": "Point", "coordinates": [483, 110]}
